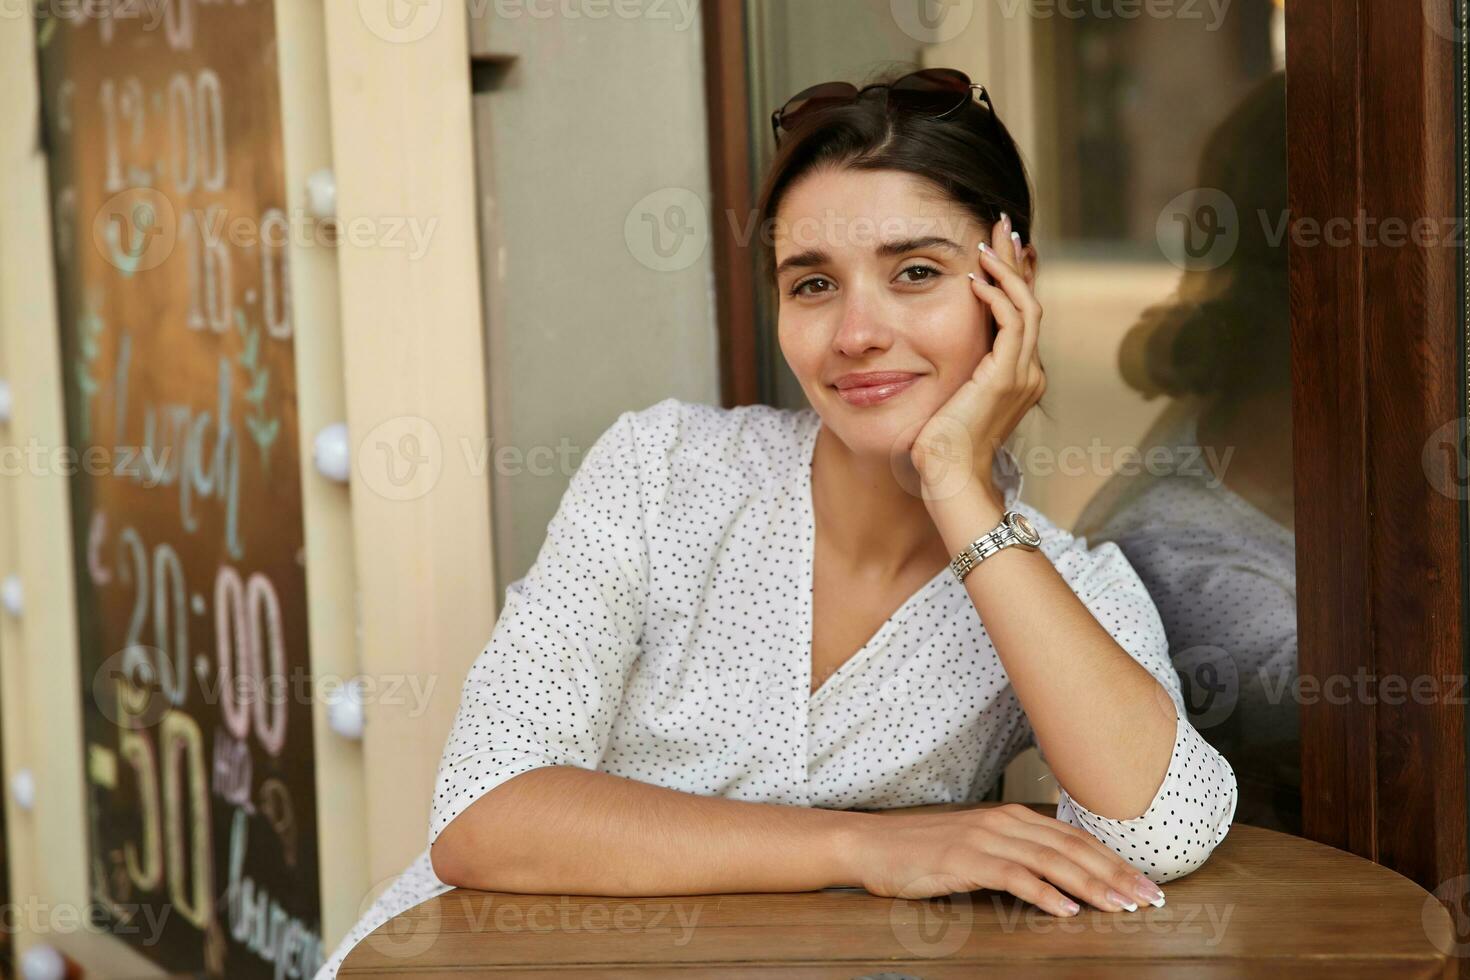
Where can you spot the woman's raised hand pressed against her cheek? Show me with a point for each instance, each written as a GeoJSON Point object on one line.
{"type": "Point", "coordinates": [959, 443]}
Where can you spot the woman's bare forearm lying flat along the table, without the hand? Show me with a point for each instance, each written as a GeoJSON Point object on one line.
{"type": "Point", "coordinates": [562, 829]}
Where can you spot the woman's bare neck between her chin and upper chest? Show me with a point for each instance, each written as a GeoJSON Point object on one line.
{"type": "Point", "coordinates": [867, 516]}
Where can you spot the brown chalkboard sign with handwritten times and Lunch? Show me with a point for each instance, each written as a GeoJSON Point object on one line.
{"type": "Point", "coordinates": [162, 126]}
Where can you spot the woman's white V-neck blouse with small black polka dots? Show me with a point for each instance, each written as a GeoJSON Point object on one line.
{"type": "Point", "coordinates": [664, 635]}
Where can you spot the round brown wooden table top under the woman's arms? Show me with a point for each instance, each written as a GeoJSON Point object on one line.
{"type": "Point", "coordinates": [1265, 903]}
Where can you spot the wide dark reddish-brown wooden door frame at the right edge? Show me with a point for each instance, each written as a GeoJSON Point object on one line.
{"type": "Point", "coordinates": [1377, 347]}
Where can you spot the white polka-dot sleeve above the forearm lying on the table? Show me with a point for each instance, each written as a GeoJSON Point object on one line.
{"type": "Point", "coordinates": [549, 684]}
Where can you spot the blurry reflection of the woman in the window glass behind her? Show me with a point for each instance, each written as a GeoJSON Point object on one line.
{"type": "Point", "coordinates": [1209, 525]}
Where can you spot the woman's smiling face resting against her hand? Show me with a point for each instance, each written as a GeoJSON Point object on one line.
{"type": "Point", "coordinates": [872, 277]}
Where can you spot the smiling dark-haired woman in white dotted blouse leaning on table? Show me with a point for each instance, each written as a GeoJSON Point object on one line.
{"type": "Point", "coordinates": [750, 627]}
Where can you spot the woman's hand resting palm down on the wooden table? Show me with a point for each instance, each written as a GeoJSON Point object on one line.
{"type": "Point", "coordinates": [1008, 849]}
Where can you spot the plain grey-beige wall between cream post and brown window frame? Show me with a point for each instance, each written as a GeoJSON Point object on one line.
{"type": "Point", "coordinates": [593, 133]}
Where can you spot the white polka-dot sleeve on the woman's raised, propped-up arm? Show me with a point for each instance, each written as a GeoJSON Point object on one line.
{"type": "Point", "coordinates": [1196, 803]}
